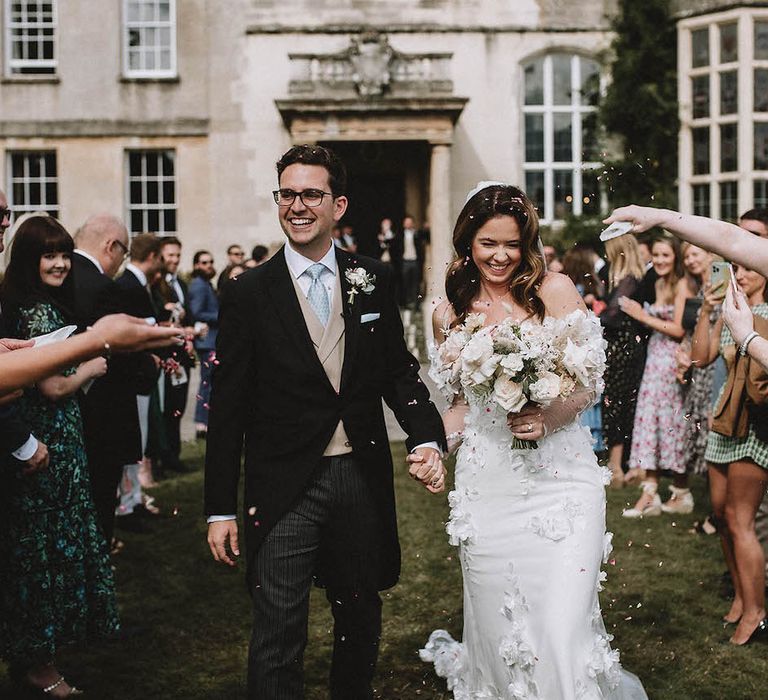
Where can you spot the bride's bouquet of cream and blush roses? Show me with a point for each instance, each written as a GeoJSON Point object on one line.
{"type": "Point", "coordinates": [511, 363]}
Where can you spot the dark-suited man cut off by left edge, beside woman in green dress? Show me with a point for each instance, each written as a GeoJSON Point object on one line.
{"type": "Point", "coordinates": [17, 445]}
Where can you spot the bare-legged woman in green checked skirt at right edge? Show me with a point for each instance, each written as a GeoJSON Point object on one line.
{"type": "Point", "coordinates": [738, 473]}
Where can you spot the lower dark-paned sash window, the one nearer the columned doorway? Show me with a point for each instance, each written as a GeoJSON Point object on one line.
{"type": "Point", "coordinates": [151, 191]}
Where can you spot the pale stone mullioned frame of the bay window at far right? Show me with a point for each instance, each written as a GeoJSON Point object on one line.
{"type": "Point", "coordinates": [745, 177]}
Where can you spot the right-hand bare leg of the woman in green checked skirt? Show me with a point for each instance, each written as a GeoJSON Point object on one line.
{"type": "Point", "coordinates": [746, 486]}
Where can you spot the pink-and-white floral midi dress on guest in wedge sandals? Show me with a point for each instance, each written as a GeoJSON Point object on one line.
{"type": "Point", "coordinates": [659, 433]}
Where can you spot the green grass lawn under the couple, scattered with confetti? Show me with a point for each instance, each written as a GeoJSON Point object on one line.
{"type": "Point", "coordinates": [190, 617]}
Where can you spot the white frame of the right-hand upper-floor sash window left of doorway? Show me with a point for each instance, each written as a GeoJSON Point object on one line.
{"type": "Point", "coordinates": [144, 26]}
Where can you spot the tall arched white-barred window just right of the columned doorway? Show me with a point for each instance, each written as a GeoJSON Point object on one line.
{"type": "Point", "coordinates": [561, 139]}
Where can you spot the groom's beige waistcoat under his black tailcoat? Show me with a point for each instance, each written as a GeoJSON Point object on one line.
{"type": "Point", "coordinates": [329, 345]}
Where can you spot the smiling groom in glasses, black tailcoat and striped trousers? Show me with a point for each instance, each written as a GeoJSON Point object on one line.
{"type": "Point", "coordinates": [309, 344]}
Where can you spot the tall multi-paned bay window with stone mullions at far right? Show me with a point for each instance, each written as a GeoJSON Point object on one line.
{"type": "Point", "coordinates": [725, 162]}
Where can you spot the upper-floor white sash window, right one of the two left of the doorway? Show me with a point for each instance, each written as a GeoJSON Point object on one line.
{"type": "Point", "coordinates": [149, 38]}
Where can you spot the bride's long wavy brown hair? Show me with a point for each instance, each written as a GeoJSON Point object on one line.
{"type": "Point", "coordinates": [462, 282]}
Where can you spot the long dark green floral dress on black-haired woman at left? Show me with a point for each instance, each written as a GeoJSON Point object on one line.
{"type": "Point", "coordinates": [57, 584]}
